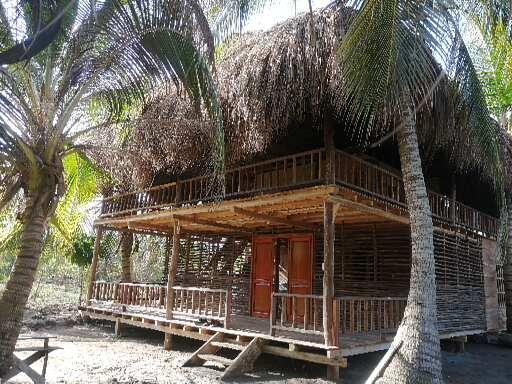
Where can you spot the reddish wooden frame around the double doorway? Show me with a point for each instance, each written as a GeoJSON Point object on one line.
{"type": "Point", "coordinates": [274, 237]}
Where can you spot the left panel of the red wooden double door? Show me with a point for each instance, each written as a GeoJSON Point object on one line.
{"type": "Point", "coordinates": [262, 276]}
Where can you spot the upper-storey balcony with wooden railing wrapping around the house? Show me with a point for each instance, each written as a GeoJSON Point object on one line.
{"type": "Point", "coordinates": [370, 185]}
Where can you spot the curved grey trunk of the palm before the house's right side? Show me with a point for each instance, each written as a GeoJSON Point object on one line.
{"type": "Point", "coordinates": [418, 360]}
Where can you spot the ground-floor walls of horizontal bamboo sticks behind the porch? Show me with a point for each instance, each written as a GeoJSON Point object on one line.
{"type": "Point", "coordinates": [370, 260]}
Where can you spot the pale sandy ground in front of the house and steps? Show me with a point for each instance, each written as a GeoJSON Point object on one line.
{"type": "Point", "coordinates": [92, 354]}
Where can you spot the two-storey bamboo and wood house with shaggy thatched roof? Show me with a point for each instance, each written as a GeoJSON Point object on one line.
{"type": "Point", "coordinates": [306, 251]}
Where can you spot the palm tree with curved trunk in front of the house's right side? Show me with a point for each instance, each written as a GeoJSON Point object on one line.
{"type": "Point", "coordinates": [387, 68]}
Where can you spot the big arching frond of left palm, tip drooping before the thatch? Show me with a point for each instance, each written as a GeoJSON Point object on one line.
{"type": "Point", "coordinates": [144, 52]}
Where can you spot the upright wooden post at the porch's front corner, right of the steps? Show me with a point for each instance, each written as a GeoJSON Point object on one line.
{"type": "Point", "coordinates": [328, 284]}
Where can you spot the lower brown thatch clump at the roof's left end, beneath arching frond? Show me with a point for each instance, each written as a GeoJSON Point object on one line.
{"type": "Point", "coordinates": [171, 137]}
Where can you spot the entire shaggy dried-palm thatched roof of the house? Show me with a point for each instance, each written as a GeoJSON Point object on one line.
{"type": "Point", "coordinates": [278, 91]}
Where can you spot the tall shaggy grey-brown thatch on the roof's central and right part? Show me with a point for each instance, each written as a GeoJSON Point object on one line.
{"type": "Point", "coordinates": [277, 80]}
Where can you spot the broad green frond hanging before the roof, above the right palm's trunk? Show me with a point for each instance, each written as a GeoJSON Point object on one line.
{"type": "Point", "coordinates": [387, 51]}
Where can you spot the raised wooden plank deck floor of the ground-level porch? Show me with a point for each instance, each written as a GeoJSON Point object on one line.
{"type": "Point", "coordinates": [241, 325]}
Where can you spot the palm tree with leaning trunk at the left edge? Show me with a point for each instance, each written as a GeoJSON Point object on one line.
{"type": "Point", "coordinates": [105, 58]}
